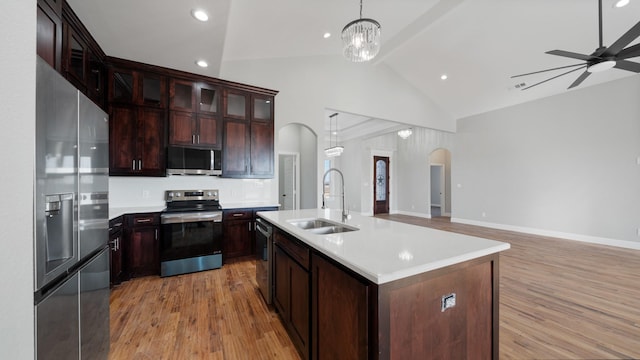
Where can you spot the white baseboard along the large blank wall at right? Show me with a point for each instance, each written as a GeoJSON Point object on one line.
{"type": "Point", "coordinates": [556, 234]}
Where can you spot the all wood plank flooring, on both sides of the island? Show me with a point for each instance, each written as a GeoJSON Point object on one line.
{"type": "Point", "coordinates": [559, 299]}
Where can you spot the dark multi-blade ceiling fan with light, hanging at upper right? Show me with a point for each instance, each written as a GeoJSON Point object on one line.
{"type": "Point", "coordinates": [603, 58]}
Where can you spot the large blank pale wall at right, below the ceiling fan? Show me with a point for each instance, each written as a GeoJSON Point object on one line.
{"type": "Point", "coordinates": [564, 166]}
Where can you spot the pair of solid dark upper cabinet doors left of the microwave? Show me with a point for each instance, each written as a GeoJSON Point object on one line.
{"type": "Point", "coordinates": [136, 141]}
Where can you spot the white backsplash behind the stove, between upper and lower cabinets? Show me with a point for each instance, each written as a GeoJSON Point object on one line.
{"type": "Point", "coordinates": [149, 191]}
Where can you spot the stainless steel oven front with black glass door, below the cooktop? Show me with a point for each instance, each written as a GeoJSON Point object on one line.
{"type": "Point", "coordinates": [189, 239]}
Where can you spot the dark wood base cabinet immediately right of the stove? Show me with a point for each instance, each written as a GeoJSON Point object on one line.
{"type": "Point", "coordinates": [238, 233]}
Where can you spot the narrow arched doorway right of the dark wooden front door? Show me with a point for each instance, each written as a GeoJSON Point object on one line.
{"type": "Point", "coordinates": [440, 183]}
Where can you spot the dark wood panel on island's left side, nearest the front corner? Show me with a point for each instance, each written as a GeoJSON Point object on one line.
{"type": "Point", "coordinates": [343, 313]}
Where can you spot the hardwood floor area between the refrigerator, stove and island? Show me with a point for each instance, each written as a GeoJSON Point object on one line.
{"type": "Point", "coordinates": [216, 314]}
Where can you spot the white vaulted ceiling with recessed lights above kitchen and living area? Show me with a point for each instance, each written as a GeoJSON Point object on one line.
{"type": "Point", "coordinates": [479, 44]}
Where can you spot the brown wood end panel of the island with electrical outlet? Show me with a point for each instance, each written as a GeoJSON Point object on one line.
{"type": "Point", "coordinates": [414, 324]}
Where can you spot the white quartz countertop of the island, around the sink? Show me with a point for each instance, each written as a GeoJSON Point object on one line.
{"type": "Point", "coordinates": [382, 250]}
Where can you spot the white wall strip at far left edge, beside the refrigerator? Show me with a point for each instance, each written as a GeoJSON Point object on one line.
{"type": "Point", "coordinates": [17, 108]}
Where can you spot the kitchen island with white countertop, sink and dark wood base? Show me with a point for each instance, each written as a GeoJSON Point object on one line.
{"type": "Point", "coordinates": [383, 289]}
